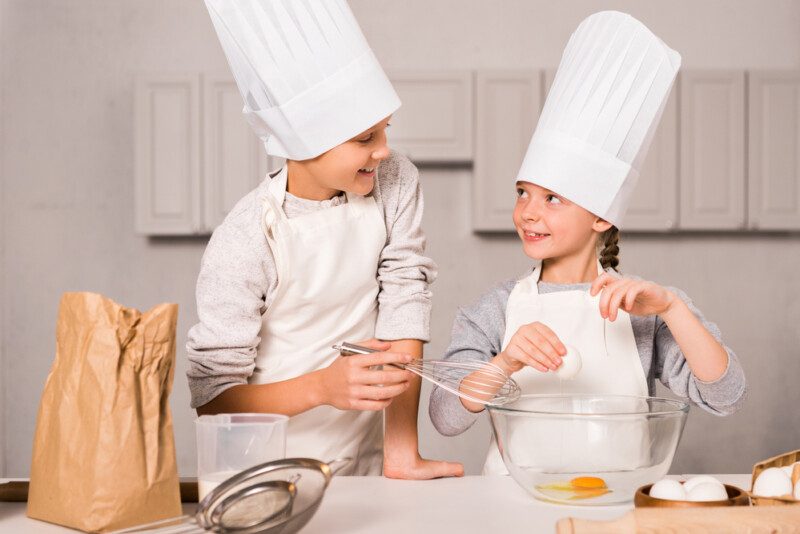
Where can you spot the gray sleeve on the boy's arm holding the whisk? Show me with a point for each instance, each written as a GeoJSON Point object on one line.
{"type": "Point", "coordinates": [231, 291]}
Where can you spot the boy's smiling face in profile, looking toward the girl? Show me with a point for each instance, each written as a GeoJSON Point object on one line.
{"type": "Point", "coordinates": [347, 167]}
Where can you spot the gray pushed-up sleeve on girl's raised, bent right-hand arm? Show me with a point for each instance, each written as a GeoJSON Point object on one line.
{"type": "Point", "coordinates": [723, 396]}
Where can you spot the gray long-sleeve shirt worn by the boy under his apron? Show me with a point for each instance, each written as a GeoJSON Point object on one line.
{"type": "Point", "coordinates": [238, 278]}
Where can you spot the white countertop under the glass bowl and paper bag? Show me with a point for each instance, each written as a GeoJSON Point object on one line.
{"type": "Point", "coordinates": [356, 505]}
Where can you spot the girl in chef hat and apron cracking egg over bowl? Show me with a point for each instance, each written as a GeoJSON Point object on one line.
{"type": "Point", "coordinates": [575, 181]}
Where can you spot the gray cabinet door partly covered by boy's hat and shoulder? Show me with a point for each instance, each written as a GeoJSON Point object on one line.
{"type": "Point", "coordinates": [235, 160]}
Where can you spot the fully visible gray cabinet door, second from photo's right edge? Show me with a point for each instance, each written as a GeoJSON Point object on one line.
{"type": "Point", "coordinates": [712, 182]}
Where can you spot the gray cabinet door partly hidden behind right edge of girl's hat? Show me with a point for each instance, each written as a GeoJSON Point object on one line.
{"type": "Point", "coordinates": [654, 202]}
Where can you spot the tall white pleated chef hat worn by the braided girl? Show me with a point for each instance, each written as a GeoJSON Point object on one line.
{"type": "Point", "coordinates": [600, 115]}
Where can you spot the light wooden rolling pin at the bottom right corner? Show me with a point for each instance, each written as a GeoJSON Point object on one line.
{"type": "Point", "coordinates": [711, 520]}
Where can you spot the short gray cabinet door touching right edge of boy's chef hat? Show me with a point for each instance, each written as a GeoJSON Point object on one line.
{"type": "Point", "coordinates": [434, 124]}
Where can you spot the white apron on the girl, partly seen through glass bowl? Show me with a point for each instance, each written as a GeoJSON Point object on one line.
{"type": "Point", "coordinates": [611, 365]}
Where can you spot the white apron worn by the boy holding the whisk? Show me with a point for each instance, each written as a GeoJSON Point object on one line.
{"type": "Point", "coordinates": [327, 263]}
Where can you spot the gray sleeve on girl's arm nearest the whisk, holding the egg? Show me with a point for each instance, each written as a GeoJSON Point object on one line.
{"type": "Point", "coordinates": [477, 335]}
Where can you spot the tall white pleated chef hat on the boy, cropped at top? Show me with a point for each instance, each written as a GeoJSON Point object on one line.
{"type": "Point", "coordinates": [308, 78]}
